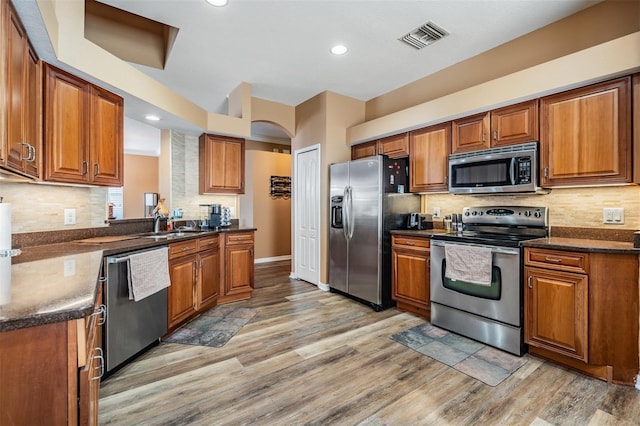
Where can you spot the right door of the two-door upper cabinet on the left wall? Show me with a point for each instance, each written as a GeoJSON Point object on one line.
{"type": "Point", "coordinates": [106, 142]}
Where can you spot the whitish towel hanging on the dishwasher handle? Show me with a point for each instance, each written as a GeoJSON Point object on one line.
{"type": "Point", "coordinates": [148, 273]}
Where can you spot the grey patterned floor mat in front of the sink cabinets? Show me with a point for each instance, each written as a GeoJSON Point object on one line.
{"type": "Point", "coordinates": [214, 327]}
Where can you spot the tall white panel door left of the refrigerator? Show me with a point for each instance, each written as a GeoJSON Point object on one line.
{"type": "Point", "coordinates": [307, 214]}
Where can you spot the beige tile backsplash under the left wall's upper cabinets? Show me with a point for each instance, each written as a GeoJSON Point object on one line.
{"type": "Point", "coordinates": [40, 207]}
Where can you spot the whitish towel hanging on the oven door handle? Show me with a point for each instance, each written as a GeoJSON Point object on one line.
{"type": "Point", "coordinates": [468, 263]}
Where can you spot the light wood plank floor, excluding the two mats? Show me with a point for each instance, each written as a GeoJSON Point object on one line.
{"type": "Point", "coordinates": [312, 357]}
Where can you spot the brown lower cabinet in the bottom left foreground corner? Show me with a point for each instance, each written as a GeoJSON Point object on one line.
{"type": "Point", "coordinates": [59, 365]}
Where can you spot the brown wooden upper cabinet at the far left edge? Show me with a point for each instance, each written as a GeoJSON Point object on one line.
{"type": "Point", "coordinates": [20, 150]}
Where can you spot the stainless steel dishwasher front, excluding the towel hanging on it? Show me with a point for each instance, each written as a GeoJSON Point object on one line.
{"type": "Point", "coordinates": [131, 326]}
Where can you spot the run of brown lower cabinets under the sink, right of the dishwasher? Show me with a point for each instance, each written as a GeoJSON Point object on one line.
{"type": "Point", "coordinates": [207, 271]}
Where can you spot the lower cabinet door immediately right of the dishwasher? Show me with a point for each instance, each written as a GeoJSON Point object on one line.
{"type": "Point", "coordinates": [182, 298]}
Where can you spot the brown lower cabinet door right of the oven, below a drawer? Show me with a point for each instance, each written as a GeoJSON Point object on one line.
{"type": "Point", "coordinates": [556, 312]}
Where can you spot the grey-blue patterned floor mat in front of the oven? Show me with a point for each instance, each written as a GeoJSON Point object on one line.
{"type": "Point", "coordinates": [475, 359]}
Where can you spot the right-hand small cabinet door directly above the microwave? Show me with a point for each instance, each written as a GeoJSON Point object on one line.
{"type": "Point", "coordinates": [515, 124]}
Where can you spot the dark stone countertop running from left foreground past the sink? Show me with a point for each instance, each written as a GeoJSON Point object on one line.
{"type": "Point", "coordinates": [59, 282]}
